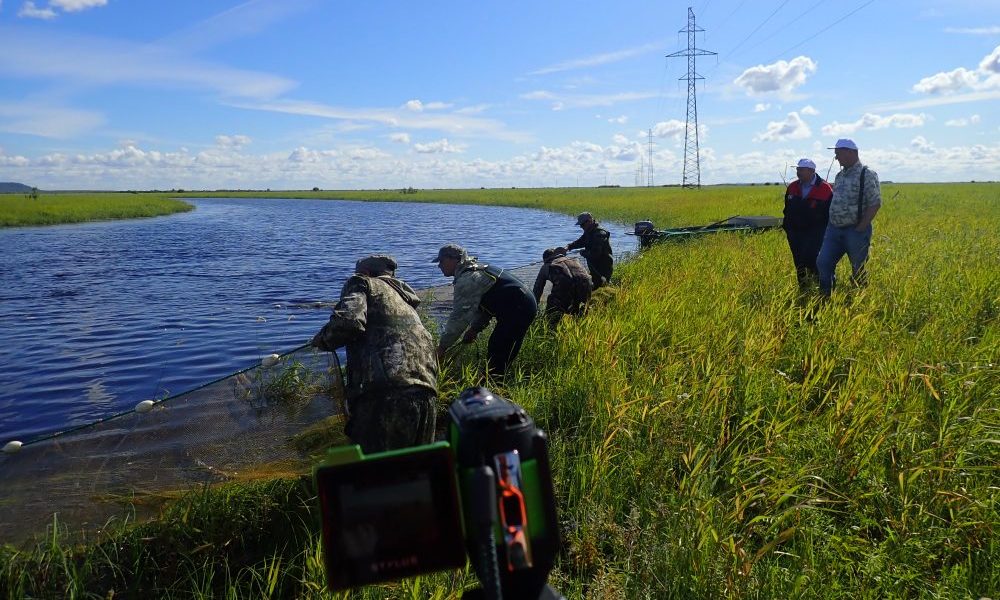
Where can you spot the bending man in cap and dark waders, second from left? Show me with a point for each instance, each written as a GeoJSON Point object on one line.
{"type": "Point", "coordinates": [483, 292]}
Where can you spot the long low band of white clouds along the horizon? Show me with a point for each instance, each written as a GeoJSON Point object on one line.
{"type": "Point", "coordinates": [132, 166]}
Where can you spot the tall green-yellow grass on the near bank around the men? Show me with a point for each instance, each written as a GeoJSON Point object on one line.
{"type": "Point", "coordinates": [712, 436]}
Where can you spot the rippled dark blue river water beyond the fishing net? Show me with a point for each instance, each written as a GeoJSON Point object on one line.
{"type": "Point", "coordinates": [96, 317]}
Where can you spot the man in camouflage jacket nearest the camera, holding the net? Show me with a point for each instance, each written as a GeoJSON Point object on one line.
{"type": "Point", "coordinates": [391, 366]}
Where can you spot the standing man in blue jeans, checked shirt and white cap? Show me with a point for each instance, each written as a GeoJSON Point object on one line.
{"type": "Point", "coordinates": [856, 199]}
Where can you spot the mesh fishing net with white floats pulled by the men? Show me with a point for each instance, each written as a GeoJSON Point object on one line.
{"type": "Point", "coordinates": [271, 419]}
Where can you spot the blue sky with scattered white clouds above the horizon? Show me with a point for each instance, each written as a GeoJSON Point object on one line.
{"type": "Point", "coordinates": [296, 94]}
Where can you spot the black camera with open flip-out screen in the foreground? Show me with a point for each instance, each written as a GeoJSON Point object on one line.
{"type": "Point", "coordinates": [486, 493]}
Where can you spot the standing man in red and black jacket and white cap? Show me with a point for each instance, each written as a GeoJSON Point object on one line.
{"type": "Point", "coordinates": [807, 211]}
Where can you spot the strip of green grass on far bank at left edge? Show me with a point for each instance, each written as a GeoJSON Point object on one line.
{"type": "Point", "coordinates": [53, 209]}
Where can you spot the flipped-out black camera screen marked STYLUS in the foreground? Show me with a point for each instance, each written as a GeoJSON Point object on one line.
{"type": "Point", "coordinates": [390, 516]}
